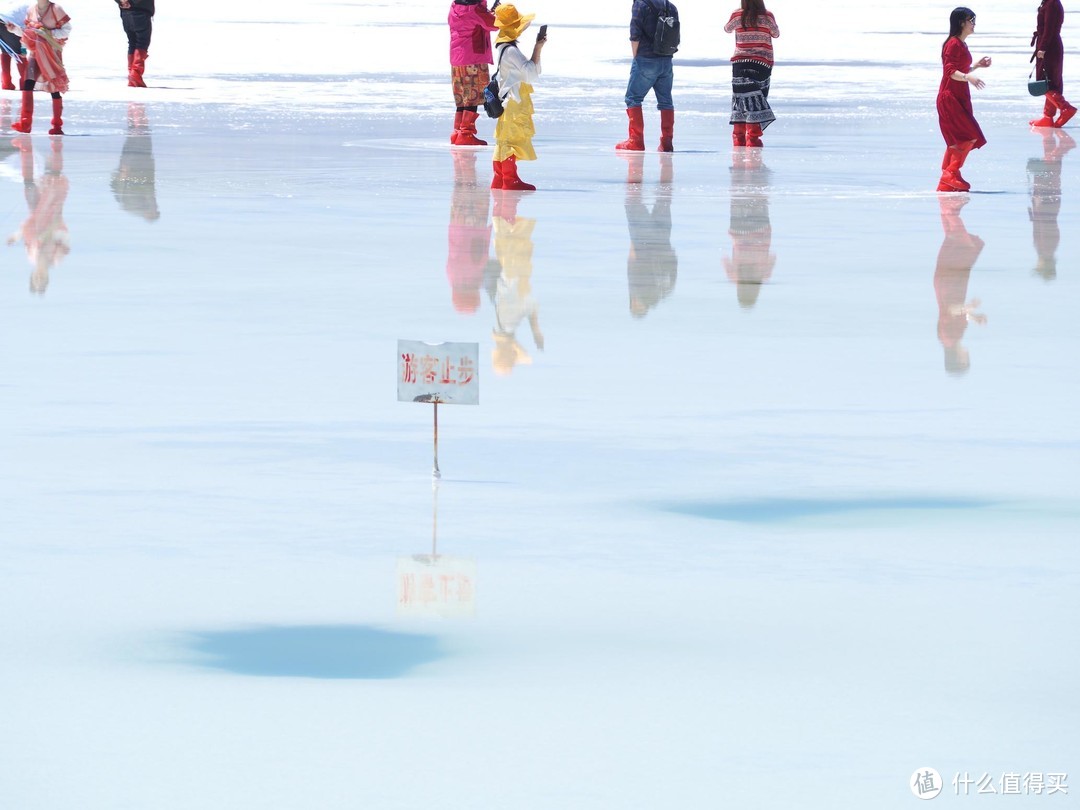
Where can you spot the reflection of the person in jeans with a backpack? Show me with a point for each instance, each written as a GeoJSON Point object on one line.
{"type": "Point", "coordinates": [652, 263]}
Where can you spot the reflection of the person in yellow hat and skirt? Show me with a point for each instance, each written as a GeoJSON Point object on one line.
{"type": "Point", "coordinates": [512, 290]}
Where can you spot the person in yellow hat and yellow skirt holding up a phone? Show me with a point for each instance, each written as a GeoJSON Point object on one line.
{"type": "Point", "coordinates": [514, 133]}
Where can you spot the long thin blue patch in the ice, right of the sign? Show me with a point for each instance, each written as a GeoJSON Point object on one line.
{"type": "Point", "coordinates": [784, 510]}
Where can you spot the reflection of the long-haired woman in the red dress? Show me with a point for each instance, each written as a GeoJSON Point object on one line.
{"type": "Point", "coordinates": [958, 254]}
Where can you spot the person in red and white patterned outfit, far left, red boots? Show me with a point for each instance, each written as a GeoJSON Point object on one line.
{"type": "Point", "coordinates": [45, 34]}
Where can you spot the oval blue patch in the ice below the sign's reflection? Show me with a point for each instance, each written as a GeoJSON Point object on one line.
{"type": "Point", "coordinates": [316, 652]}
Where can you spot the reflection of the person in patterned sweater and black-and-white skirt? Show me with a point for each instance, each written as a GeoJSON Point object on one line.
{"type": "Point", "coordinates": [751, 231]}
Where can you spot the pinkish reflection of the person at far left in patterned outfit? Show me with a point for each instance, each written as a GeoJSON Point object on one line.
{"type": "Point", "coordinates": [45, 234]}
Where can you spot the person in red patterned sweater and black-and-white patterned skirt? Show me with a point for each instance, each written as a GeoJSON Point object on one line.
{"type": "Point", "coordinates": [755, 29]}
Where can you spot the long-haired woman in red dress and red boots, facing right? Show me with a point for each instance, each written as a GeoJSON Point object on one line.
{"type": "Point", "coordinates": [955, 117]}
